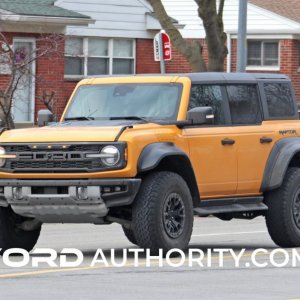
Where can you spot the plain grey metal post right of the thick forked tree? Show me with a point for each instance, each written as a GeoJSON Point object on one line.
{"type": "Point", "coordinates": [242, 36]}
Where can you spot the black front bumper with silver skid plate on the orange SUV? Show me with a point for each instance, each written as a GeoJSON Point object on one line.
{"type": "Point", "coordinates": [67, 201]}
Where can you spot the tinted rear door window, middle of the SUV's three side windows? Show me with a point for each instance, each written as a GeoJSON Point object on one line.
{"type": "Point", "coordinates": [244, 104]}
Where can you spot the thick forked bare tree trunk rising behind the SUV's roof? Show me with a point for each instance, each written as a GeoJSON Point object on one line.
{"type": "Point", "coordinates": [212, 18]}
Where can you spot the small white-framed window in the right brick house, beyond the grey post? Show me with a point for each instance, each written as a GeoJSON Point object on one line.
{"type": "Point", "coordinates": [263, 54]}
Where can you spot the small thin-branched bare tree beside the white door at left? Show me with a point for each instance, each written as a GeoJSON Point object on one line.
{"type": "Point", "coordinates": [17, 63]}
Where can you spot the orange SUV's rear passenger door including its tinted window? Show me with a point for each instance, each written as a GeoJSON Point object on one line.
{"type": "Point", "coordinates": [254, 138]}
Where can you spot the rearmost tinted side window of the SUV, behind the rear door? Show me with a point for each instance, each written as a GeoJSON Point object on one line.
{"type": "Point", "coordinates": [279, 99]}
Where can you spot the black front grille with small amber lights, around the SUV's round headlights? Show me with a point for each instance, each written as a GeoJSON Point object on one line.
{"type": "Point", "coordinates": [58, 158]}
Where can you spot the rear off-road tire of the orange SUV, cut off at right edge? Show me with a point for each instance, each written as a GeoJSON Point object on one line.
{"type": "Point", "coordinates": [282, 213]}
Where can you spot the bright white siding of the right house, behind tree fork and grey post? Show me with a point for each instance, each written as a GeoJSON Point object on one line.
{"type": "Point", "coordinates": [259, 20]}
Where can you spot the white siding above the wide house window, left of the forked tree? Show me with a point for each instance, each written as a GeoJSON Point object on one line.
{"type": "Point", "coordinates": [114, 18]}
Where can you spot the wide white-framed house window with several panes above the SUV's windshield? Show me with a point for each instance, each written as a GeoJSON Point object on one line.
{"type": "Point", "coordinates": [98, 56]}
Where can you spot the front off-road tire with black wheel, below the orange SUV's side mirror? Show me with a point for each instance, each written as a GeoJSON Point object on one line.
{"type": "Point", "coordinates": [149, 217]}
